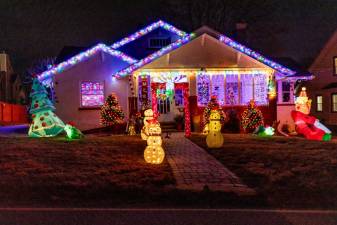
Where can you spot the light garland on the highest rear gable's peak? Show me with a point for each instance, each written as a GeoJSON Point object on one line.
{"type": "Point", "coordinates": [147, 30]}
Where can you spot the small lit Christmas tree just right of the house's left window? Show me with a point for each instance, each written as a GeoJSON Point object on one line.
{"type": "Point", "coordinates": [111, 112]}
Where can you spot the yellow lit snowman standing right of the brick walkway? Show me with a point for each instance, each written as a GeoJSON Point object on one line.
{"type": "Point", "coordinates": [214, 138]}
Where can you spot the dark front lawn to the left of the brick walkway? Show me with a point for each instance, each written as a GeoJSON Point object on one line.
{"type": "Point", "coordinates": [56, 171]}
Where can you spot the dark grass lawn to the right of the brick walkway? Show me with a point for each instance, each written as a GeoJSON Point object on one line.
{"type": "Point", "coordinates": [285, 172]}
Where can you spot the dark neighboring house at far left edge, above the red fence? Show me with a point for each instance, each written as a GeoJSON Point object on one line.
{"type": "Point", "coordinates": [11, 87]}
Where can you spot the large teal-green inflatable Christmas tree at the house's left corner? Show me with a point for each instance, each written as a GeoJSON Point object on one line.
{"type": "Point", "coordinates": [45, 123]}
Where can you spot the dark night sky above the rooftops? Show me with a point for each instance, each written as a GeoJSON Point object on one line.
{"type": "Point", "coordinates": [35, 29]}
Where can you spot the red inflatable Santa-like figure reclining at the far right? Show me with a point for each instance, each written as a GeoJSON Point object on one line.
{"type": "Point", "coordinates": [308, 126]}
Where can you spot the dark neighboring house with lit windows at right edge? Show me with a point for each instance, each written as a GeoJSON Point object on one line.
{"type": "Point", "coordinates": [323, 89]}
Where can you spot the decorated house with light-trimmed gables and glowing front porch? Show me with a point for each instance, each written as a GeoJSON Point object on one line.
{"type": "Point", "coordinates": [173, 72]}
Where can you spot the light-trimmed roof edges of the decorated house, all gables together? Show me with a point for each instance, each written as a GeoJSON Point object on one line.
{"type": "Point", "coordinates": [184, 39]}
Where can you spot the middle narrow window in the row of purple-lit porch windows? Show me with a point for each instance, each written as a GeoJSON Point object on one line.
{"type": "Point", "coordinates": [232, 89]}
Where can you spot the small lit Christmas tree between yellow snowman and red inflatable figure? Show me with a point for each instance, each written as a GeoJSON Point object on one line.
{"type": "Point", "coordinates": [251, 118]}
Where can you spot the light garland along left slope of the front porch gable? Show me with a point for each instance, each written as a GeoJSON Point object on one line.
{"type": "Point", "coordinates": [154, 56]}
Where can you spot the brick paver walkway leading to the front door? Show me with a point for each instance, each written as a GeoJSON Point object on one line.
{"type": "Point", "coordinates": [194, 168]}
